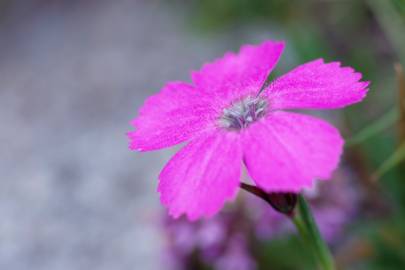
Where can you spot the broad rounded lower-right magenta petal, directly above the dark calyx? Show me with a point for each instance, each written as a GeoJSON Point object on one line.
{"type": "Point", "coordinates": [288, 151]}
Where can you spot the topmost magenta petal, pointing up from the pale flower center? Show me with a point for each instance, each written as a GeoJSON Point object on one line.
{"type": "Point", "coordinates": [236, 74]}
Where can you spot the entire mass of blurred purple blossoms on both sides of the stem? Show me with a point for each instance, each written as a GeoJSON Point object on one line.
{"type": "Point", "coordinates": [230, 239]}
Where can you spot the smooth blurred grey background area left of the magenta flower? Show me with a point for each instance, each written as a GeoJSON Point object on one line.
{"type": "Point", "coordinates": [72, 76]}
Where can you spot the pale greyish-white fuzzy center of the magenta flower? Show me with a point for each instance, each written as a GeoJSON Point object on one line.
{"type": "Point", "coordinates": [242, 113]}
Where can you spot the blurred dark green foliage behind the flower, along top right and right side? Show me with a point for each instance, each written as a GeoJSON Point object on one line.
{"type": "Point", "coordinates": [370, 36]}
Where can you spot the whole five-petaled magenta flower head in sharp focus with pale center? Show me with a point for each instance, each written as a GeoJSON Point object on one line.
{"type": "Point", "coordinates": [226, 122]}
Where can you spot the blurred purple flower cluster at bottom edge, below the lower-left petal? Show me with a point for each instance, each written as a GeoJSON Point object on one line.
{"type": "Point", "coordinates": [220, 242]}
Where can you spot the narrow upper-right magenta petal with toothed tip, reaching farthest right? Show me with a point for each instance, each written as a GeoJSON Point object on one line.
{"type": "Point", "coordinates": [317, 85]}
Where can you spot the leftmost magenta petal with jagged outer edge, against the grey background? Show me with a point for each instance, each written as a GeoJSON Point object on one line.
{"type": "Point", "coordinates": [172, 116]}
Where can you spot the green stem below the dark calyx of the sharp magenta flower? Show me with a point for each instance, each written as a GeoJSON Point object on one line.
{"type": "Point", "coordinates": [307, 228]}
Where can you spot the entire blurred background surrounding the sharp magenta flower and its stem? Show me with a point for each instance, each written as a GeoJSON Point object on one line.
{"type": "Point", "coordinates": [74, 73]}
